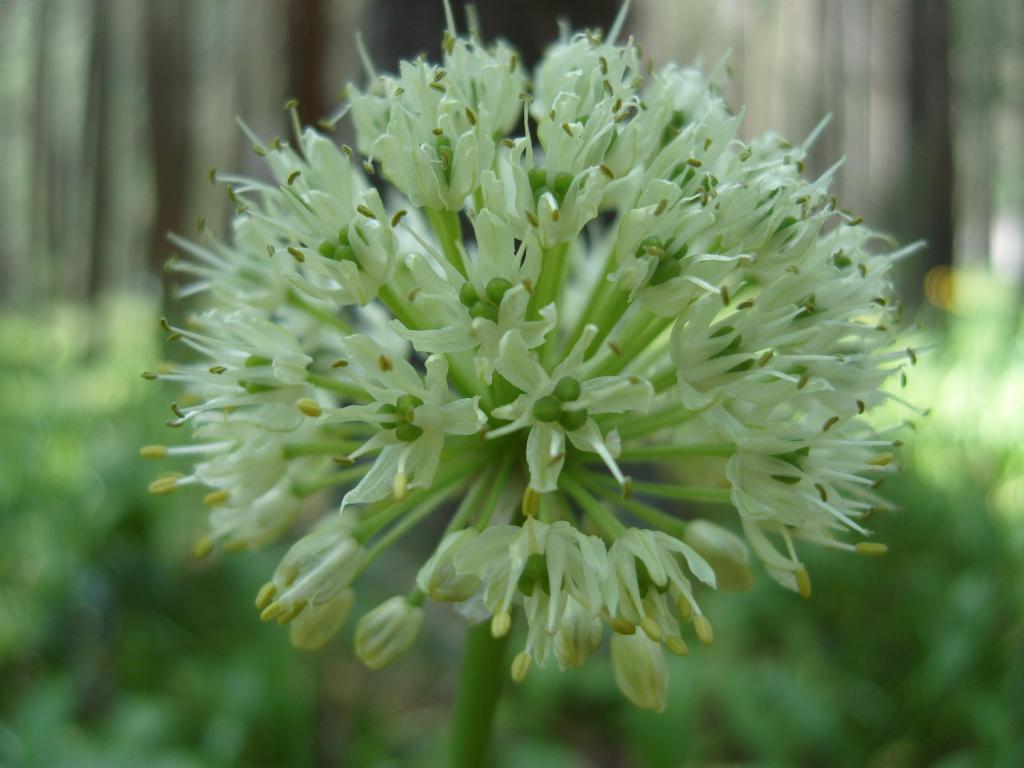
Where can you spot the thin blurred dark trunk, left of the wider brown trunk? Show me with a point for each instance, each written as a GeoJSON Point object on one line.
{"type": "Point", "coordinates": [98, 147]}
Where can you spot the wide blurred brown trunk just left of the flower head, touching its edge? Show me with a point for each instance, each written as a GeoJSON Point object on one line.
{"type": "Point", "coordinates": [168, 72]}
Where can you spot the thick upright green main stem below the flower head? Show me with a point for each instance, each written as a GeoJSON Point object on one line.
{"type": "Point", "coordinates": [480, 689]}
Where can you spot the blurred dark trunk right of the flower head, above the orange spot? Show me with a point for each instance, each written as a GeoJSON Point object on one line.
{"type": "Point", "coordinates": [931, 173]}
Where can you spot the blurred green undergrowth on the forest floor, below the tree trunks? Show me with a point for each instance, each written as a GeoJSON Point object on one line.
{"type": "Point", "coordinates": [120, 650]}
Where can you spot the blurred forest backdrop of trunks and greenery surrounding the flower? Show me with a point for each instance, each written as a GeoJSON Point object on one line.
{"type": "Point", "coordinates": [119, 650]}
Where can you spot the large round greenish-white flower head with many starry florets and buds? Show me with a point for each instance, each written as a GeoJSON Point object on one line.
{"type": "Point", "coordinates": [586, 314]}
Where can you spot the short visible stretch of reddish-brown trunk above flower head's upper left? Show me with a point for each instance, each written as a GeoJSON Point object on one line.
{"type": "Point", "coordinates": [309, 28]}
